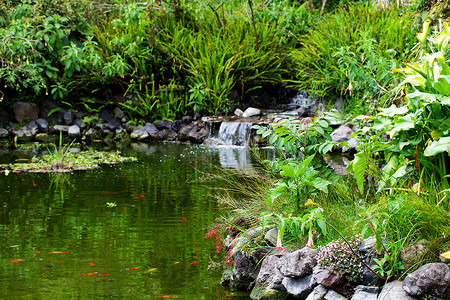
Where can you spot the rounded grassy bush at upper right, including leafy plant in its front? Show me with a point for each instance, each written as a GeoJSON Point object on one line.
{"type": "Point", "coordinates": [338, 51]}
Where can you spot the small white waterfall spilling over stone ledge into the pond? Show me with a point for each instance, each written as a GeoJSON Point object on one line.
{"type": "Point", "coordinates": [234, 133]}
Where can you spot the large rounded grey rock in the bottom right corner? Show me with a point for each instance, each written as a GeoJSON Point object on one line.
{"type": "Point", "coordinates": [432, 279]}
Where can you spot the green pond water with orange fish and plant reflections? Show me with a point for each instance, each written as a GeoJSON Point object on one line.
{"type": "Point", "coordinates": [141, 226]}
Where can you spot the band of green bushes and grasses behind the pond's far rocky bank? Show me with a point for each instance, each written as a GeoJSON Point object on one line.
{"type": "Point", "coordinates": [162, 59]}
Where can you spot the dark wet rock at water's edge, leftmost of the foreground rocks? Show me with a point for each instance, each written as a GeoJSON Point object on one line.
{"type": "Point", "coordinates": [245, 271]}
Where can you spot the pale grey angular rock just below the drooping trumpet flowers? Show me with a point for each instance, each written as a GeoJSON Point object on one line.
{"type": "Point", "coordinates": [299, 263]}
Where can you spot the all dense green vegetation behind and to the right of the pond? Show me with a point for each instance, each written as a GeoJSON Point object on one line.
{"type": "Point", "coordinates": [161, 59]}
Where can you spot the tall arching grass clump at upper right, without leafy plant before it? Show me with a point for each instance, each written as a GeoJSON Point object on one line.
{"type": "Point", "coordinates": [318, 68]}
